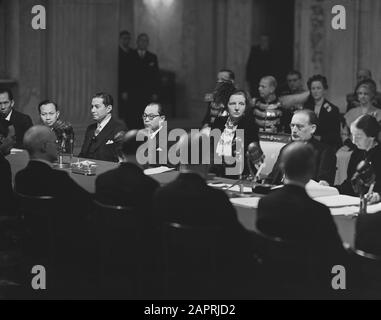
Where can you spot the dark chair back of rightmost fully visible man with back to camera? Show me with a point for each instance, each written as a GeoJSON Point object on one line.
{"type": "Point", "coordinates": [291, 269]}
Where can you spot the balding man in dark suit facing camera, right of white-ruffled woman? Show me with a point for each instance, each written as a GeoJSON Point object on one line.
{"type": "Point", "coordinates": [303, 127]}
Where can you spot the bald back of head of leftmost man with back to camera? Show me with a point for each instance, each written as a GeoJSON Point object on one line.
{"type": "Point", "coordinates": [40, 142]}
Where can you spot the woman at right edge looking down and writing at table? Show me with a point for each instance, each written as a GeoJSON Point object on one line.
{"type": "Point", "coordinates": [365, 132]}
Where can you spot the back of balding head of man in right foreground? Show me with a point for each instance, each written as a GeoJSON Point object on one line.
{"type": "Point", "coordinates": [298, 162]}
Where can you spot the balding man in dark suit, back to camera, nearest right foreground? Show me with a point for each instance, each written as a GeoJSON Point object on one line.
{"type": "Point", "coordinates": [290, 214]}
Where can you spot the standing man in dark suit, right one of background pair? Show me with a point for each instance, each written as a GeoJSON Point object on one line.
{"type": "Point", "coordinates": [145, 81]}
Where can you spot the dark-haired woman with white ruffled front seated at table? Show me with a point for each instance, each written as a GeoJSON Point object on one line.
{"type": "Point", "coordinates": [238, 128]}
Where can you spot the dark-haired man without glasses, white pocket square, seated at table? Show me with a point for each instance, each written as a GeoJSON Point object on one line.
{"type": "Point", "coordinates": [99, 138]}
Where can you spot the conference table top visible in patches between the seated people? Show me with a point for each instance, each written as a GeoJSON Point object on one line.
{"type": "Point", "coordinates": [246, 215]}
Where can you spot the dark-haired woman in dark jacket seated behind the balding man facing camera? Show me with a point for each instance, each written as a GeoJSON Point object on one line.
{"type": "Point", "coordinates": [328, 114]}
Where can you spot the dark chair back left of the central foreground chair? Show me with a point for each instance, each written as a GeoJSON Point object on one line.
{"type": "Point", "coordinates": [120, 234]}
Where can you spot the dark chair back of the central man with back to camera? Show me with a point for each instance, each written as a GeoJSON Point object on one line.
{"type": "Point", "coordinates": [192, 260]}
